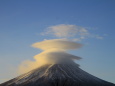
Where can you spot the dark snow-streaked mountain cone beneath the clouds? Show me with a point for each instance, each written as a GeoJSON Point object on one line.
{"type": "Point", "coordinates": [57, 74]}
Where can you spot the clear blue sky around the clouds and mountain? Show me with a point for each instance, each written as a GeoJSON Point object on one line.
{"type": "Point", "coordinates": [22, 21]}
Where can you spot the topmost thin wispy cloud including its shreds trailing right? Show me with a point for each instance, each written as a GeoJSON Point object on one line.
{"type": "Point", "coordinates": [74, 32]}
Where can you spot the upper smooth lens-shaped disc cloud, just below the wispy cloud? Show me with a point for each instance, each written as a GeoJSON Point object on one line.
{"type": "Point", "coordinates": [57, 44]}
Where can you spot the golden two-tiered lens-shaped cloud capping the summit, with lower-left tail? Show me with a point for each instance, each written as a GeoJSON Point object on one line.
{"type": "Point", "coordinates": [53, 51]}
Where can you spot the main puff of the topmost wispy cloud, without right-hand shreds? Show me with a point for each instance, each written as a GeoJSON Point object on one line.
{"type": "Point", "coordinates": [66, 31]}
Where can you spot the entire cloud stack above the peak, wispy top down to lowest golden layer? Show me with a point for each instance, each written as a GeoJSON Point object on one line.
{"type": "Point", "coordinates": [56, 49]}
